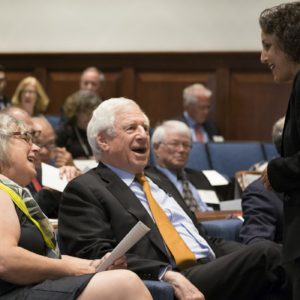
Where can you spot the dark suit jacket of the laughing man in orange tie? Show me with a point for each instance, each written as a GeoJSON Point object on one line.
{"type": "Point", "coordinates": [98, 209]}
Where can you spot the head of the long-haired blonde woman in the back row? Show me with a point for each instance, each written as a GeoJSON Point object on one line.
{"type": "Point", "coordinates": [31, 96]}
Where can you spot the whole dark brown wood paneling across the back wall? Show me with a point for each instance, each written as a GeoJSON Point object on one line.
{"type": "Point", "coordinates": [246, 101]}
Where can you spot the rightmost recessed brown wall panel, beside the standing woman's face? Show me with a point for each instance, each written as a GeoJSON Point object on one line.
{"type": "Point", "coordinates": [256, 102]}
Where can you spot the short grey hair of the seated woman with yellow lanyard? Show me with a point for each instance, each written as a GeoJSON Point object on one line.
{"type": "Point", "coordinates": [8, 125]}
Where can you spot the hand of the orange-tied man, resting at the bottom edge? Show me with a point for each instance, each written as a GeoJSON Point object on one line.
{"type": "Point", "coordinates": [184, 289]}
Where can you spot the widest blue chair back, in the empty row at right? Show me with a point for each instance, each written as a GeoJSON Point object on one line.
{"type": "Point", "coordinates": [229, 157]}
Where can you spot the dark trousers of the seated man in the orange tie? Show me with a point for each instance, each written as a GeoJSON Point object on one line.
{"type": "Point", "coordinates": [252, 273]}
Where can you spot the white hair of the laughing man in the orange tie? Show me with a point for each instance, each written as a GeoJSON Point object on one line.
{"type": "Point", "coordinates": [103, 120]}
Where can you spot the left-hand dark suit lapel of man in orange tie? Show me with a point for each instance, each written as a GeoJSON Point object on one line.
{"type": "Point", "coordinates": [131, 203]}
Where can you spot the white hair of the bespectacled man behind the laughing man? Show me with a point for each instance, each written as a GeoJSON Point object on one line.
{"type": "Point", "coordinates": [161, 132]}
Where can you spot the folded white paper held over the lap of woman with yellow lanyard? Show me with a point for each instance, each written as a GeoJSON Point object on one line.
{"type": "Point", "coordinates": [131, 238]}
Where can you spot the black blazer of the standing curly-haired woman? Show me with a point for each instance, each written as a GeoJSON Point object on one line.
{"type": "Point", "coordinates": [284, 174]}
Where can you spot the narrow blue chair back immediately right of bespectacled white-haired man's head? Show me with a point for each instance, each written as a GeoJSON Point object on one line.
{"type": "Point", "coordinates": [198, 158]}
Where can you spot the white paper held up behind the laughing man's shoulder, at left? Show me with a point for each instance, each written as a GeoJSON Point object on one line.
{"type": "Point", "coordinates": [51, 178]}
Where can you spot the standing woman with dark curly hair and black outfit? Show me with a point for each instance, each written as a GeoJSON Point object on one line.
{"type": "Point", "coordinates": [280, 27]}
